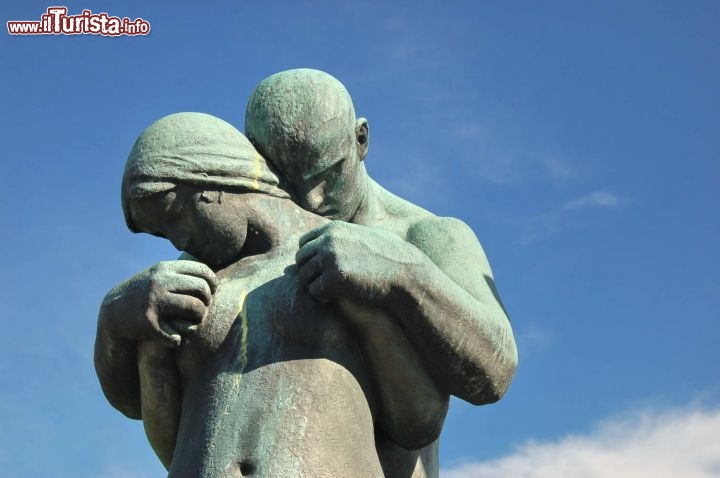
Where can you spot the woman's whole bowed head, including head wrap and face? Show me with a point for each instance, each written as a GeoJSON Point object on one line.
{"type": "Point", "coordinates": [174, 181]}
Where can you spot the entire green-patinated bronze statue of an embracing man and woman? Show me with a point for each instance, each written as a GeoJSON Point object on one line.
{"type": "Point", "coordinates": [287, 342]}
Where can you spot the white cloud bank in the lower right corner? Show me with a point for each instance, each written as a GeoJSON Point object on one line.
{"type": "Point", "coordinates": [670, 444]}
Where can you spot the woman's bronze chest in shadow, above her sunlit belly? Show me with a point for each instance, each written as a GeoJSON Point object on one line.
{"type": "Point", "coordinates": [265, 316]}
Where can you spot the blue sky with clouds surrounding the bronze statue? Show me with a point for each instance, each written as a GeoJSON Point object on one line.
{"type": "Point", "coordinates": [579, 140]}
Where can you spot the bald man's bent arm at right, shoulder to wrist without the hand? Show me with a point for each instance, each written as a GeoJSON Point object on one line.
{"type": "Point", "coordinates": [448, 303]}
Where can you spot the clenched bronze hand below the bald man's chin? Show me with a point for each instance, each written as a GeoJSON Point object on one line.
{"type": "Point", "coordinates": [350, 261]}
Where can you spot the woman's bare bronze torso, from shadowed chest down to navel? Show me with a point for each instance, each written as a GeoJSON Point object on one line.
{"type": "Point", "coordinates": [274, 384]}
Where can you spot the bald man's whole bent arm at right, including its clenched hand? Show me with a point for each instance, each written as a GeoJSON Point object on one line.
{"type": "Point", "coordinates": [439, 287]}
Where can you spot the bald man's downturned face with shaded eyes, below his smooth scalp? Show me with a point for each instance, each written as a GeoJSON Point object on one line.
{"type": "Point", "coordinates": [328, 180]}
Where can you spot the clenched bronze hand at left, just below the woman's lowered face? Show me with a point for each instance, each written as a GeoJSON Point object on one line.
{"type": "Point", "coordinates": [161, 303]}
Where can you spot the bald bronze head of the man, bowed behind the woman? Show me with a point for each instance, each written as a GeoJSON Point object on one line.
{"type": "Point", "coordinates": [303, 121]}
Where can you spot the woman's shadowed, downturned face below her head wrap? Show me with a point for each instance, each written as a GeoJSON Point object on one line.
{"type": "Point", "coordinates": [195, 221]}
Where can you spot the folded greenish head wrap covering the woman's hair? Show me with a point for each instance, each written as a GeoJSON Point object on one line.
{"type": "Point", "coordinates": [195, 149]}
